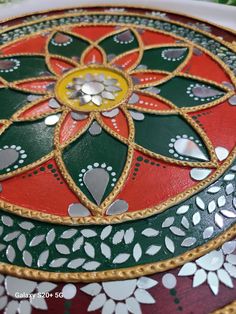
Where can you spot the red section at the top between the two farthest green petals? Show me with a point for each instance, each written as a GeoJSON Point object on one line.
{"type": "Point", "coordinates": [93, 32]}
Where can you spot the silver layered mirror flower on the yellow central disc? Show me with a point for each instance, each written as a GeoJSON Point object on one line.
{"type": "Point", "coordinates": [93, 89]}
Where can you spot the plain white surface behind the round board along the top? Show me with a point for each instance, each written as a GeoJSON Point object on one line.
{"type": "Point", "coordinates": [218, 13]}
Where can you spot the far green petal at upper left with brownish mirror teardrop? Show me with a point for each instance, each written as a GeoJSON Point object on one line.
{"type": "Point", "coordinates": [67, 45]}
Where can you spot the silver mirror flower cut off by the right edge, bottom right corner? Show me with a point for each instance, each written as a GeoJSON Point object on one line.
{"type": "Point", "coordinates": [214, 268]}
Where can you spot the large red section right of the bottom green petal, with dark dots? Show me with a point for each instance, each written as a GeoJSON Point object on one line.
{"type": "Point", "coordinates": [151, 177]}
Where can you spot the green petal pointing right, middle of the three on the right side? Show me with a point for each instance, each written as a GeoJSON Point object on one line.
{"type": "Point", "coordinates": [190, 92]}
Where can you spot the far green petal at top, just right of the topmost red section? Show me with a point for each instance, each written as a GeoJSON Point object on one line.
{"type": "Point", "coordinates": [119, 43]}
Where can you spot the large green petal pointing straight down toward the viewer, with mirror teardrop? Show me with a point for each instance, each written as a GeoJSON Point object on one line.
{"type": "Point", "coordinates": [101, 152]}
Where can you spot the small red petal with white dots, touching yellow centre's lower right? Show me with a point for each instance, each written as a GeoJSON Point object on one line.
{"type": "Point", "coordinates": [118, 124]}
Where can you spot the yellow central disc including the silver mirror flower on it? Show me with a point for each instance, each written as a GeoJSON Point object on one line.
{"type": "Point", "coordinates": [93, 88]}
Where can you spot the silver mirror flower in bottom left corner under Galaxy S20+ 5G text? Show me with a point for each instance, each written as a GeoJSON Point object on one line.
{"type": "Point", "coordinates": [20, 295]}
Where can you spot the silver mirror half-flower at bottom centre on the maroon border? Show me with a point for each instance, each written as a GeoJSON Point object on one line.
{"type": "Point", "coordinates": [120, 296]}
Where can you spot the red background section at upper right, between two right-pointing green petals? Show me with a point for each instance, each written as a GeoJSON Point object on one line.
{"type": "Point", "coordinates": [204, 66]}
